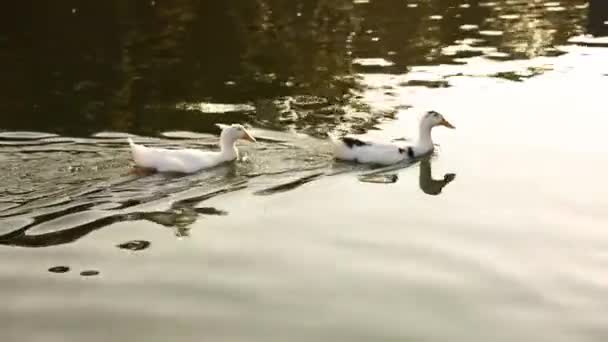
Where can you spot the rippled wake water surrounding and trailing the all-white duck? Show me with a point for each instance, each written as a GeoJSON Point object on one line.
{"type": "Point", "coordinates": [56, 195]}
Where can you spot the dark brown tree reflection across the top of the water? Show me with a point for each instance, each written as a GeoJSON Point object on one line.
{"type": "Point", "coordinates": [84, 66]}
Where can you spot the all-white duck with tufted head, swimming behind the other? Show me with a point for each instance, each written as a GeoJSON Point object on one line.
{"type": "Point", "coordinates": [190, 160]}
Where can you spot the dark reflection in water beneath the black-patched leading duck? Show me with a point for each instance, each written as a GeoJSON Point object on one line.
{"type": "Point", "coordinates": [427, 184]}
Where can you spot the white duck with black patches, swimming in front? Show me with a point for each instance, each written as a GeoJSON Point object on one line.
{"type": "Point", "coordinates": [360, 151]}
